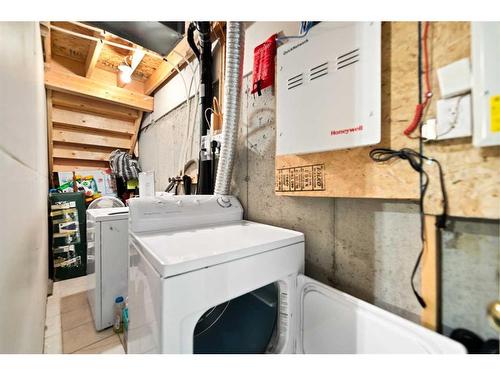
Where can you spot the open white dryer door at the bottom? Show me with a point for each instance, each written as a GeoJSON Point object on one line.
{"type": "Point", "coordinates": [335, 322]}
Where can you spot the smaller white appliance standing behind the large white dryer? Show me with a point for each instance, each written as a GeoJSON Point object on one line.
{"type": "Point", "coordinates": [107, 261]}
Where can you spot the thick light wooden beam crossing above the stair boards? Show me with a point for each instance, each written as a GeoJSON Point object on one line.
{"type": "Point", "coordinates": [74, 84]}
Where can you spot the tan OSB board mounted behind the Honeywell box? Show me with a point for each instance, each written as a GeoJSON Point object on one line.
{"type": "Point", "coordinates": [472, 174]}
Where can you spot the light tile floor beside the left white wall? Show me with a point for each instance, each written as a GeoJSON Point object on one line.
{"type": "Point", "coordinates": [69, 327]}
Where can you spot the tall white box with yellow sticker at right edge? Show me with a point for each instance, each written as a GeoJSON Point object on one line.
{"type": "Point", "coordinates": [486, 83]}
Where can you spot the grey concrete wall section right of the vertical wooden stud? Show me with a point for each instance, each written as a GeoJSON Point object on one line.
{"type": "Point", "coordinates": [470, 278]}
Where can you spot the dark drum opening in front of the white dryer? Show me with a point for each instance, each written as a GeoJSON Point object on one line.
{"type": "Point", "coordinates": [242, 325]}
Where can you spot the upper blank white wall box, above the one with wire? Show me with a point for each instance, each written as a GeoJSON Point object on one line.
{"type": "Point", "coordinates": [455, 78]}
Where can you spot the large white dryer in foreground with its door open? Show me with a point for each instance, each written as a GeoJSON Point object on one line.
{"type": "Point", "coordinates": [202, 280]}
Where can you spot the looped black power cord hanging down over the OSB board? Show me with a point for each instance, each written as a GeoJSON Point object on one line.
{"type": "Point", "coordinates": [416, 161]}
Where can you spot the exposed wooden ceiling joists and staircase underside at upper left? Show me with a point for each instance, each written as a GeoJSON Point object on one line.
{"type": "Point", "coordinates": [90, 113]}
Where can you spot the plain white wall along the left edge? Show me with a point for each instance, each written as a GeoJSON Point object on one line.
{"type": "Point", "coordinates": [23, 189]}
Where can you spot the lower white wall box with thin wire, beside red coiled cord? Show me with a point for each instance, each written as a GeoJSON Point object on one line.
{"type": "Point", "coordinates": [454, 119]}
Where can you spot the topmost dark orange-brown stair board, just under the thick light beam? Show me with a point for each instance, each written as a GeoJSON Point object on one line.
{"type": "Point", "coordinates": [93, 106]}
